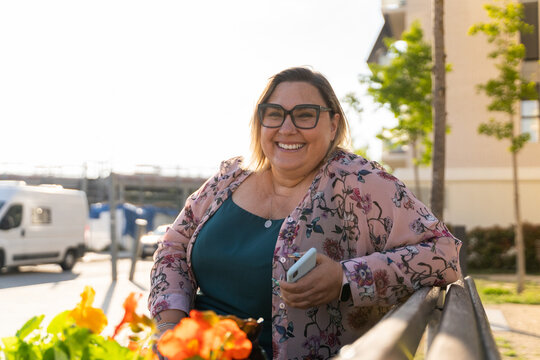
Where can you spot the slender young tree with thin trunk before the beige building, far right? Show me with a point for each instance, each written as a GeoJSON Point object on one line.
{"type": "Point", "coordinates": [506, 91]}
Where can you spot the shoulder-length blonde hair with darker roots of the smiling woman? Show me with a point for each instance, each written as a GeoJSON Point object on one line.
{"type": "Point", "coordinates": [342, 140]}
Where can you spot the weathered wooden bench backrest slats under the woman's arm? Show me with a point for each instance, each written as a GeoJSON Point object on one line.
{"type": "Point", "coordinates": [453, 319]}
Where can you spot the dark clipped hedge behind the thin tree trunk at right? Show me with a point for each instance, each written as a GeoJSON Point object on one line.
{"type": "Point", "coordinates": [492, 248]}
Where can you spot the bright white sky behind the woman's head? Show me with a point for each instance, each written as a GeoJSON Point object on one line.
{"type": "Point", "coordinates": [117, 83]}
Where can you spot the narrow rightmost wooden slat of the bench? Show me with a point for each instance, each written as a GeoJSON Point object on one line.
{"type": "Point", "coordinates": [488, 342]}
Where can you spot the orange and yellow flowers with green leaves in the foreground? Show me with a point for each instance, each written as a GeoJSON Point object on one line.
{"type": "Point", "coordinates": [77, 334]}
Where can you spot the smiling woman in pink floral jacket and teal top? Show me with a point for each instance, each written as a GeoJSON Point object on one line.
{"type": "Point", "coordinates": [239, 233]}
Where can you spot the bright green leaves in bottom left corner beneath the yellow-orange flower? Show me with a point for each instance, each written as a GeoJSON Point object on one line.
{"type": "Point", "coordinates": [62, 340]}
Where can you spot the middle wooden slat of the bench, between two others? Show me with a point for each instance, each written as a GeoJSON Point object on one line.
{"type": "Point", "coordinates": [458, 337]}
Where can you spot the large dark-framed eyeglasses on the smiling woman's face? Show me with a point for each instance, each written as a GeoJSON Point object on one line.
{"type": "Point", "coordinates": [303, 116]}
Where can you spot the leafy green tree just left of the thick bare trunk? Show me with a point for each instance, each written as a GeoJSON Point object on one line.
{"type": "Point", "coordinates": [404, 87]}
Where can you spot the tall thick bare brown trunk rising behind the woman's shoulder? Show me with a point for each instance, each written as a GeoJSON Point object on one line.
{"type": "Point", "coordinates": [439, 110]}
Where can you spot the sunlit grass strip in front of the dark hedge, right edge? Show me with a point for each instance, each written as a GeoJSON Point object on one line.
{"type": "Point", "coordinates": [500, 292]}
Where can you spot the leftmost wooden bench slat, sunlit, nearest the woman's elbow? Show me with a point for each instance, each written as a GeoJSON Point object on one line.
{"type": "Point", "coordinates": [396, 336]}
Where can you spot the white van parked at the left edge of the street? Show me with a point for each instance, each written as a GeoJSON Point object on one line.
{"type": "Point", "coordinates": [41, 224]}
